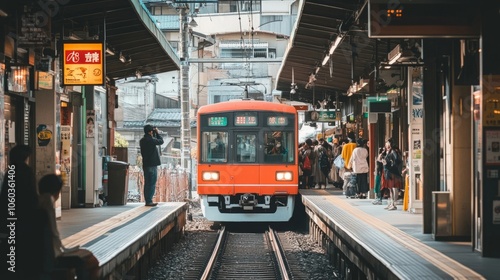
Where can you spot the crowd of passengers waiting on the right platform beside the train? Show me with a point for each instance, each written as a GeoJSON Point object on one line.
{"type": "Point", "coordinates": [344, 163]}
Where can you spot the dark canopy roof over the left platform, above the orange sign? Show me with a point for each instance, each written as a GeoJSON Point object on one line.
{"type": "Point", "coordinates": [126, 25]}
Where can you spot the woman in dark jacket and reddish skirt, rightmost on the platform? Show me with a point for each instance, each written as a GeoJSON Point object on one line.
{"type": "Point", "coordinates": [392, 173]}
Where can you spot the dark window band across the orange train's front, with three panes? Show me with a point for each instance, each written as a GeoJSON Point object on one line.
{"type": "Point", "coordinates": [244, 141]}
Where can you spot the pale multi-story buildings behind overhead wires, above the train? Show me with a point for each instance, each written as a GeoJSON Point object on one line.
{"type": "Point", "coordinates": [235, 47]}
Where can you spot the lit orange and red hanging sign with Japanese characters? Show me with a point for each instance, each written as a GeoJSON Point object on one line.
{"type": "Point", "coordinates": [83, 63]}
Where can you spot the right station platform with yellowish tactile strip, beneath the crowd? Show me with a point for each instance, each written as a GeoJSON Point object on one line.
{"type": "Point", "coordinates": [395, 239]}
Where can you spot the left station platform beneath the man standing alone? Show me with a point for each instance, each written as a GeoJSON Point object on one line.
{"type": "Point", "coordinates": [124, 238]}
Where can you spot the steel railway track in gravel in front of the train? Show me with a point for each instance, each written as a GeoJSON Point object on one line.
{"type": "Point", "coordinates": [236, 255]}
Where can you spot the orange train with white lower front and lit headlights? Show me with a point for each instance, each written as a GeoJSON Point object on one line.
{"type": "Point", "coordinates": [247, 161]}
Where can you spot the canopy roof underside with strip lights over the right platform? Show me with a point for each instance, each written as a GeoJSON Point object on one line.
{"type": "Point", "coordinates": [319, 23]}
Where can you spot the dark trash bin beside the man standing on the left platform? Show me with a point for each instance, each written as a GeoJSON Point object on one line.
{"type": "Point", "coordinates": [117, 183]}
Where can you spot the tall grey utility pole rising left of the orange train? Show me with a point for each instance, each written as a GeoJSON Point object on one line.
{"type": "Point", "coordinates": [185, 106]}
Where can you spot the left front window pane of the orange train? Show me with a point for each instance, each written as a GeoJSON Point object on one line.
{"type": "Point", "coordinates": [214, 146]}
